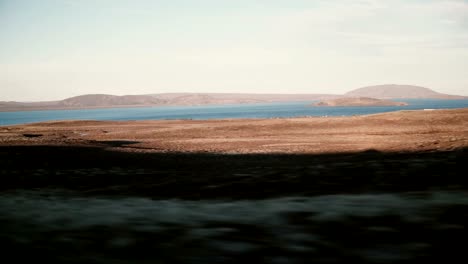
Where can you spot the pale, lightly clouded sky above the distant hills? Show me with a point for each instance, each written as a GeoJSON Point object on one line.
{"type": "Point", "coordinates": [54, 49]}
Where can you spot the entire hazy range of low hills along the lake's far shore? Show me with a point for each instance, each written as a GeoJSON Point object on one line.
{"type": "Point", "coordinates": [389, 91]}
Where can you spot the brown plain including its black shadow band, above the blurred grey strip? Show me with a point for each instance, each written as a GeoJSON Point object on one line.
{"type": "Point", "coordinates": [397, 151]}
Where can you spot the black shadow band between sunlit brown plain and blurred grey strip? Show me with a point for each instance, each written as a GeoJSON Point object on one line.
{"type": "Point", "coordinates": [97, 171]}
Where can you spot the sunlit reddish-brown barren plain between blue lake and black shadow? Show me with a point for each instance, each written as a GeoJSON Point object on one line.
{"type": "Point", "coordinates": [395, 131]}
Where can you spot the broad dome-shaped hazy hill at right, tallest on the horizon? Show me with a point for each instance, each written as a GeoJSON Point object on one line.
{"type": "Point", "coordinates": [392, 91]}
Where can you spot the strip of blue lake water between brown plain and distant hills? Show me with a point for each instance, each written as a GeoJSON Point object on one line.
{"type": "Point", "coordinates": [267, 110]}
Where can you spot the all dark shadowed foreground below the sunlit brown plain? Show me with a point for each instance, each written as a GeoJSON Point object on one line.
{"type": "Point", "coordinates": [91, 205]}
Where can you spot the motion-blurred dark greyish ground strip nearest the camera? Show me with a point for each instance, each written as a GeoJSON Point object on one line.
{"type": "Point", "coordinates": [372, 228]}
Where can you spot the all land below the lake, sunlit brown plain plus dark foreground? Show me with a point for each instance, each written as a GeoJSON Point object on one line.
{"type": "Point", "coordinates": [388, 188]}
